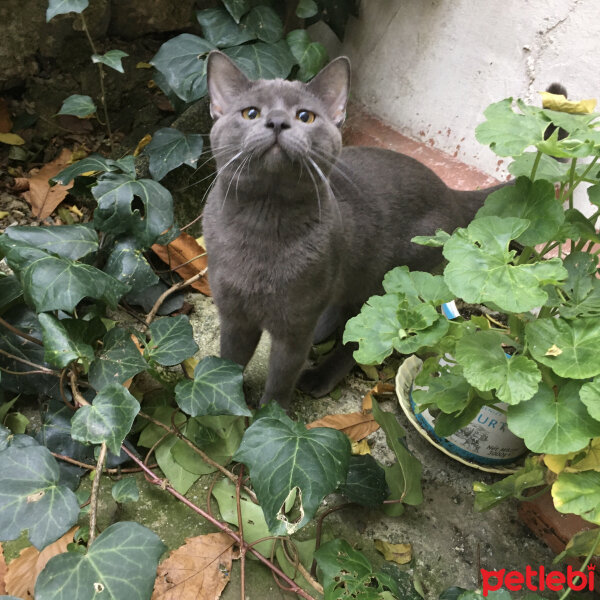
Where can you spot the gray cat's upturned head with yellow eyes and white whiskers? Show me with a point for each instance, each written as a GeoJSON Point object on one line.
{"type": "Point", "coordinates": [282, 125]}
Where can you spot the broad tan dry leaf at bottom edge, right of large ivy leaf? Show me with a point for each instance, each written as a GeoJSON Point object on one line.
{"type": "Point", "coordinates": [199, 570]}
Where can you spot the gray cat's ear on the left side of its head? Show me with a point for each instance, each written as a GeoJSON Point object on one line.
{"type": "Point", "coordinates": [225, 82]}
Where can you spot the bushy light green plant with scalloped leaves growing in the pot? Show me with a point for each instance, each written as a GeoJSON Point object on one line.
{"type": "Point", "coordinates": [531, 256]}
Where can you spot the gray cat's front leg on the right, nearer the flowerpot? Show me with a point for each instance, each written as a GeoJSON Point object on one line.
{"type": "Point", "coordinates": [288, 355]}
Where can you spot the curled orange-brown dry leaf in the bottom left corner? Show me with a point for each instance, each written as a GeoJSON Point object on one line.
{"type": "Point", "coordinates": [23, 571]}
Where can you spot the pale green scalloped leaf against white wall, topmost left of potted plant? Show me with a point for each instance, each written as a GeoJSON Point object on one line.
{"type": "Point", "coordinates": [508, 133]}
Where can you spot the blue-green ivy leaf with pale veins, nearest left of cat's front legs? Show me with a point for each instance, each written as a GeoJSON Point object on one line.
{"type": "Point", "coordinates": [171, 342]}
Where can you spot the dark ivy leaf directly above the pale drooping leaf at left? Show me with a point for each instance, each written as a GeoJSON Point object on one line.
{"type": "Point", "coordinates": [118, 361]}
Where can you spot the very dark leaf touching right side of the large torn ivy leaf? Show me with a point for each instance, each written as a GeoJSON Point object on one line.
{"type": "Point", "coordinates": [365, 483]}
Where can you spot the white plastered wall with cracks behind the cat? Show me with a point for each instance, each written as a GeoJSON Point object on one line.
{"type": "Point", "coordinates": [430, 67]}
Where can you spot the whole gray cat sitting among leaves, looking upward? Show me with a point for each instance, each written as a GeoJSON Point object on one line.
{"type": "Point", "coordinates": [299, 231]}
